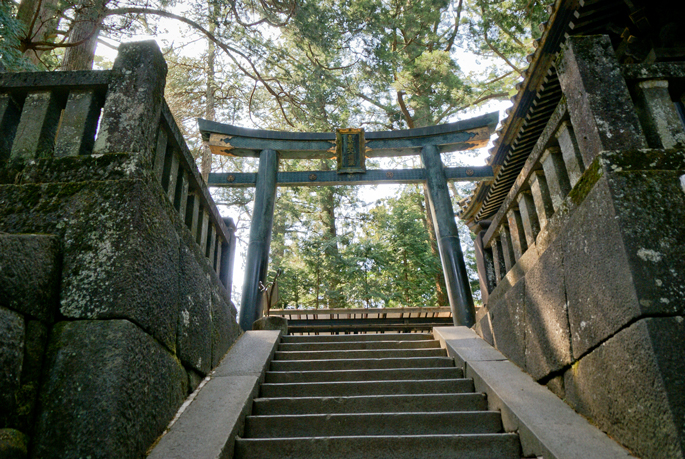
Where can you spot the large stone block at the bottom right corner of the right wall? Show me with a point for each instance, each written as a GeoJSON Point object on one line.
{"type": "Point", "coordinates": [633, 387]}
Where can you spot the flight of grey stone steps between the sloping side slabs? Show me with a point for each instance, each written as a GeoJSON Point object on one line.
{"type": "Point", "coordinates": [370, 396]}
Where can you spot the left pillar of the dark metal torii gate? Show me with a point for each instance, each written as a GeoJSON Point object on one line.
{"type": "Point", "coordinates": [260, 238]}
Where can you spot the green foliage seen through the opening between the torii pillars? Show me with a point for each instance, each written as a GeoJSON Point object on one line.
{"type": "Point", "coordinates": [382, 257]}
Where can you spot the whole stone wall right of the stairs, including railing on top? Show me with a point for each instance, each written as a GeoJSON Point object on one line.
{"type": "Point", "coordinates": [588, 256]}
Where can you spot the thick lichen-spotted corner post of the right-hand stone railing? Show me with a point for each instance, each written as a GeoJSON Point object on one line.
{"type": "Point", "coordinates": [599, 103]}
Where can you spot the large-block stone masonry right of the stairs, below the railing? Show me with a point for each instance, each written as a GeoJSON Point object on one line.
{"type": "Point", "coordinates": [597, 315]}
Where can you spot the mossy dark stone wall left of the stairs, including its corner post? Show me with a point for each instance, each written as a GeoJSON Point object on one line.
{"type": "Point", "coordinates": [113, 299]}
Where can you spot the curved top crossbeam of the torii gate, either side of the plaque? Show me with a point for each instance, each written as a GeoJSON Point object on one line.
{"type": "Point", "coordinates": [224, 139]}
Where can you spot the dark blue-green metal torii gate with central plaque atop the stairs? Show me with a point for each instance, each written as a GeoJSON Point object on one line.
{"type": "Point", "coordinates": [351, 147]}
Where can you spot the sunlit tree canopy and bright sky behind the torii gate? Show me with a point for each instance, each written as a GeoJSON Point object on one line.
{"type": "Point", "coordinates": [311, 65]}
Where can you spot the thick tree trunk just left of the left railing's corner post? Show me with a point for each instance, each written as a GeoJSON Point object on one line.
{"type": "Point", "coordinates": [86, 28]}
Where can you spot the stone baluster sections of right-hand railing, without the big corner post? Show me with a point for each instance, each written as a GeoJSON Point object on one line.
{"type": "Point", "coordinates": [557, 164]}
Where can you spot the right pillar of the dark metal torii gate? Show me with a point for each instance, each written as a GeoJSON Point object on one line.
{"type": "Point", "coordinates": [453, 266]}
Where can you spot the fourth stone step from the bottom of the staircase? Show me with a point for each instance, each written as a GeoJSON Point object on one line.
{"type": "Point", "coordinates": [348, 388]}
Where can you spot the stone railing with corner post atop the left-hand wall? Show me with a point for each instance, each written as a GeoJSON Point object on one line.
{"type": "Point", "coordinates": [60, 114]}
